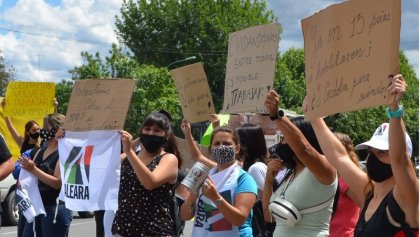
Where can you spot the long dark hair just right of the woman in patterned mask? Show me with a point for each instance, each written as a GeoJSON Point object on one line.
{"type": "Point", "coordinates": [252, 143]}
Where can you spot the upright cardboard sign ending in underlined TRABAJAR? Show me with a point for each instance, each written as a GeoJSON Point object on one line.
{"type": "Point", "coordinates": [252, 55]}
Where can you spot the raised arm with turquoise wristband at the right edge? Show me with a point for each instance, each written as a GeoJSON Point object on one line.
{"type": "Point", "coordinates": [406, 190]}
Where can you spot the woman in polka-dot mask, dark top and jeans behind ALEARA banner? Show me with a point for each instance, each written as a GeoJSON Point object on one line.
{"type": "Point", "coordinates": [46, 167]}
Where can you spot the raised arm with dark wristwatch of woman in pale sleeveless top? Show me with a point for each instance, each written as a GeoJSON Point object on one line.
{"type": "Point", "coordinates": [315, 162]}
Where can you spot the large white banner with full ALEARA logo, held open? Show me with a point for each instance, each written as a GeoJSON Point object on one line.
{"type": "Point", "coordinates": [90, 169]}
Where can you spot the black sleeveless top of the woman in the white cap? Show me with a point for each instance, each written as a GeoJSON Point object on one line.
{"type": "Point", "coordinates": [378, 224]}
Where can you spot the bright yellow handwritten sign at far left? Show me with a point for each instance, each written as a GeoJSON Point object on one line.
{"type": "Point", "coordinates": [29, 99]}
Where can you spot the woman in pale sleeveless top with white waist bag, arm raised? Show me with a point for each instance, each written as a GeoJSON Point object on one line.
{"type": "Point", "coordinates": [311, 181]}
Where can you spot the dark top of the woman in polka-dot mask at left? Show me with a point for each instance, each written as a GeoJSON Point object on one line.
{"type": "Point", "coordinates": [48, 193]}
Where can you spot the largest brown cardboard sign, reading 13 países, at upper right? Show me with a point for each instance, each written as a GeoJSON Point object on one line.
{"type": "Point", "coordinates": [350, 50]}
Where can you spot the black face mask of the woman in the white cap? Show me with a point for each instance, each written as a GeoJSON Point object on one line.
{"type": "Point", "coordinates": [376, 169]}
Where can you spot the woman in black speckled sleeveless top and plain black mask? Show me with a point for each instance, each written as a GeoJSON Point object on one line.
{"type": "Point", "coordinates": [148, 181]}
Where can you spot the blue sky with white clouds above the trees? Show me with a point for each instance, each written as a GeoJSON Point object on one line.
{"type": "Point", "coordinates": [43, 39]}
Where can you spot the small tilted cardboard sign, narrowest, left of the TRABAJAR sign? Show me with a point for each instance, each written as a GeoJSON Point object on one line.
{"type": "Point", "coordinates": [194, 92]}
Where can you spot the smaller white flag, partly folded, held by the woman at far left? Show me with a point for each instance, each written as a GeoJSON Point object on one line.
{"type": "Point", "coordinates": [28, 198]}
